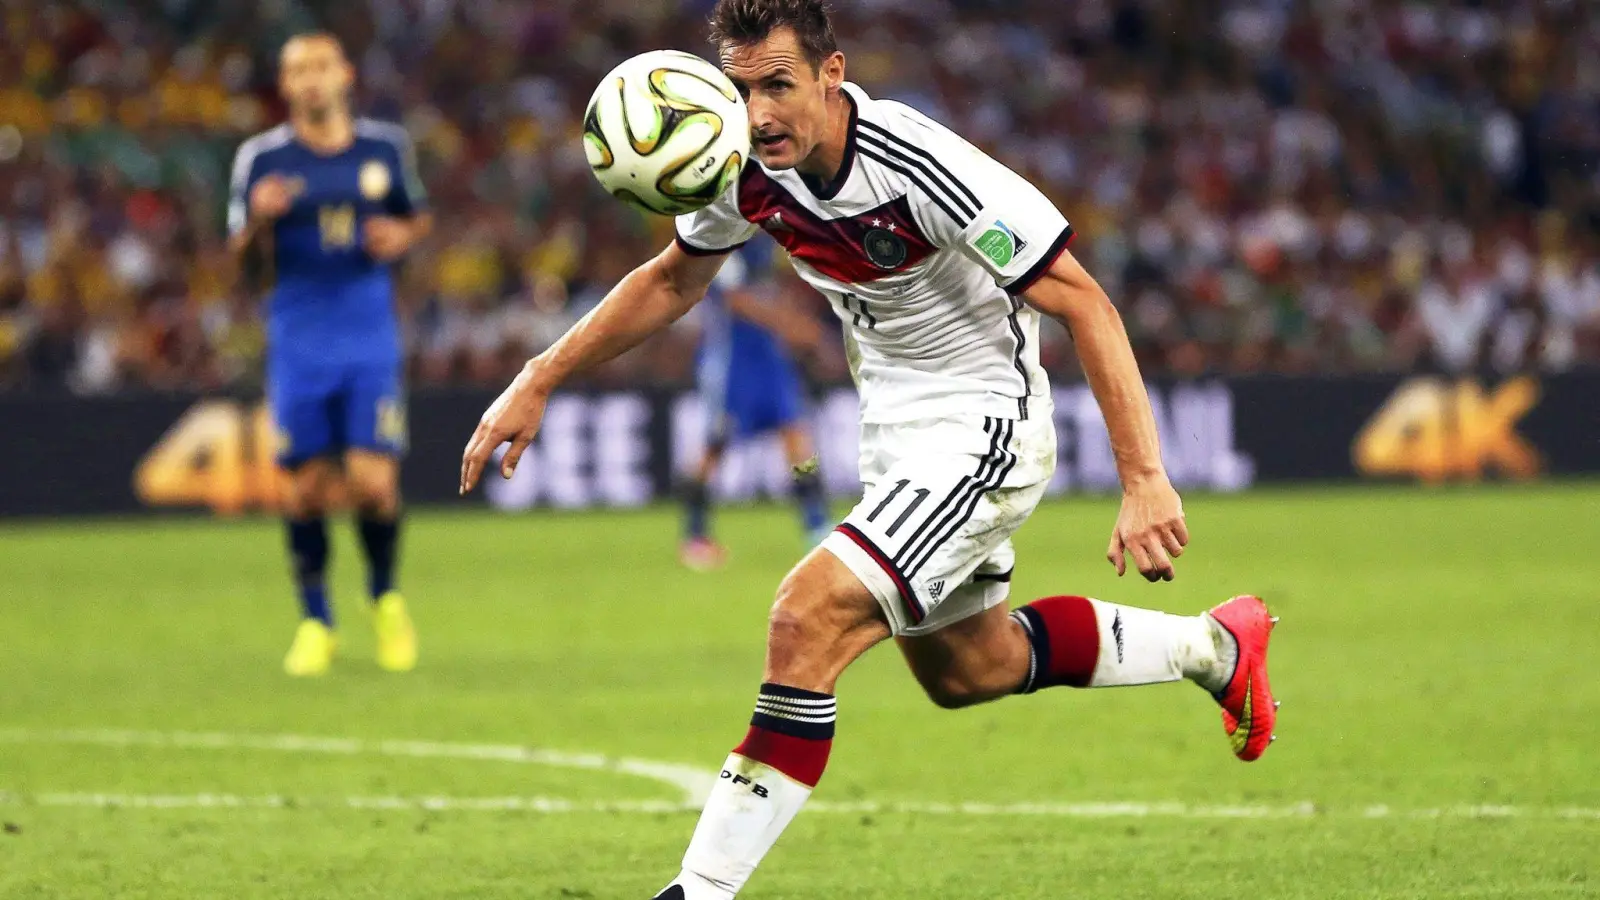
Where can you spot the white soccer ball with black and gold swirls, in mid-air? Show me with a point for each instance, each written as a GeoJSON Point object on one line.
{"type": "Point", "coordinates": [666, 132]}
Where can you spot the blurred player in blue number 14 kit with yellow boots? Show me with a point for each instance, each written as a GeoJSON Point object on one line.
{"type": "Point", "coordinates": [329, 203]}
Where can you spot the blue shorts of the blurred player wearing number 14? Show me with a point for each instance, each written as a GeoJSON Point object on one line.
{"type": "Point", "coordinates": [327, 409]}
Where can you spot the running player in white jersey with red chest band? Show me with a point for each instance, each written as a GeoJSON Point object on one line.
{"type": "Point", "coordinates": [940, 263]}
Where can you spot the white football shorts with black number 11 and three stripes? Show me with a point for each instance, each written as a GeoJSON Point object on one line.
{"type": "Point", "coordinates": [932, 537]}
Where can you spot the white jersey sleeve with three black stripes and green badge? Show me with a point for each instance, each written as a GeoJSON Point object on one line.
{"type": "Point", "coordinates": [972, 204]}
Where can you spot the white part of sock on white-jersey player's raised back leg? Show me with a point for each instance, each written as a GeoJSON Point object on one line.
{"type": "Point", "coordinates": [1142, 646]}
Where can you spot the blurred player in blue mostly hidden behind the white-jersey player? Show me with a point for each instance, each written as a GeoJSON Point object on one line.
{"type": "Point", "coordinates": [750, 387]}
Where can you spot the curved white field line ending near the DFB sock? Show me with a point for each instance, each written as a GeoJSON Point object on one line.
{"type": "Point", "coordinates": [695, 784]}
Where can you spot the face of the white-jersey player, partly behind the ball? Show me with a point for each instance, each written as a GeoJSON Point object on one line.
{"type": "Point", "coordinates": [786, 95]}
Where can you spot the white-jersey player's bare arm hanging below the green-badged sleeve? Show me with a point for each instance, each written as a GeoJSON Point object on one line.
{"type": "Point", "coordinates": [1151, 524]}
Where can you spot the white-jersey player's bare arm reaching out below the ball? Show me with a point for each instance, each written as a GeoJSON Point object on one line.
{"type": "Point", "coordinates": [650, 299]}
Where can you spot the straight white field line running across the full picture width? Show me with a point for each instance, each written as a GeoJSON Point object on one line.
{"type": "Point", "coordinates": [655, 808]}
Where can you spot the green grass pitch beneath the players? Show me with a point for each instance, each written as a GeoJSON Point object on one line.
{"type": "Point", "coordinates": [1441, 731]}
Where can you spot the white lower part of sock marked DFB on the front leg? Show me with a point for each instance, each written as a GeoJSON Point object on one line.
{"type": "Point", "coordinates": [748, 811]}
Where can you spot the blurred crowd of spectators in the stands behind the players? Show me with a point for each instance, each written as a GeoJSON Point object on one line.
{"type": "Point", "coordinates": [1260, 185]}
